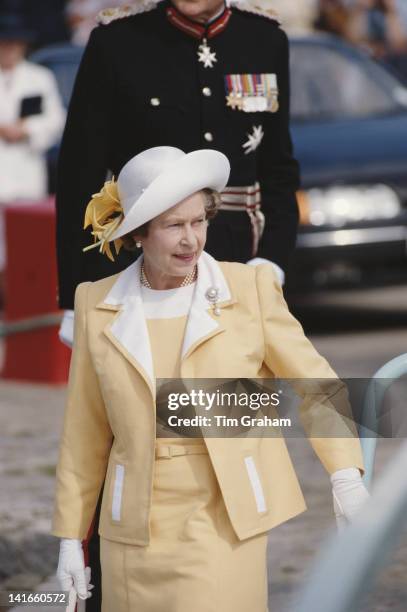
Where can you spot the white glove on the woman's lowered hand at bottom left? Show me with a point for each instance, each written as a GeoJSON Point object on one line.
{"type": "Point", "coordinates": [71, 572]}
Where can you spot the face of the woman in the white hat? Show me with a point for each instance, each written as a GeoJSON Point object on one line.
{"type": "Point", "coordinates": [175, 240]}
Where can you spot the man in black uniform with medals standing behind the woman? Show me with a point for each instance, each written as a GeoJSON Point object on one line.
{"type": "Point", "coordinates": [191, 74]}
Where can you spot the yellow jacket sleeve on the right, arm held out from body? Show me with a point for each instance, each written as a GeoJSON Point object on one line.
{"type": "Point", "coordinates": [324, 411]}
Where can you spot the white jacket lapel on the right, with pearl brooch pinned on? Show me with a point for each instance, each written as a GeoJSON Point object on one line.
{"type": "Point", "coordinates": [201, 324]}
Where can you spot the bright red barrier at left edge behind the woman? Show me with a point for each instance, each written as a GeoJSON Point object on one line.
{"type": "Point", "coordinates": [31, 291]}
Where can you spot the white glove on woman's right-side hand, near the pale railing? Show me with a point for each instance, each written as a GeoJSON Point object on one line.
{"type": "Point", "coordinates": [349, 495]}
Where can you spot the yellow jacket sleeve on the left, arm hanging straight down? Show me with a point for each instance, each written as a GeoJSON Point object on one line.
{"type": "Point", "coordinates": [86, 439]}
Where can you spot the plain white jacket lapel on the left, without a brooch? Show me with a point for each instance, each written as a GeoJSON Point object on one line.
{"type": "Point", "coordinates": [129, 328]}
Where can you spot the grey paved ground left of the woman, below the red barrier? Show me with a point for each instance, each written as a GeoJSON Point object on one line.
{"type": "Point", "coordinates": [30, 421]}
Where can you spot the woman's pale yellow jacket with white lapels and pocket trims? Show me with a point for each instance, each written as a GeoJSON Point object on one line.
{"type": "Point", "coordinates": [109, 428]}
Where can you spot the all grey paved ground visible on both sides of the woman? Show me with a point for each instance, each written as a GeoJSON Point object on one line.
{"type": "Point", "coordinates": [30, 422]}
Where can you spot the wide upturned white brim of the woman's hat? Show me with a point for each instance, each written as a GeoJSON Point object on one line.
{"type": "Point", "coordinates": [198, 170]}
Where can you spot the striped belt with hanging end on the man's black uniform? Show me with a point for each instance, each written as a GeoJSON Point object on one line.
{"type": "Point", "coordinates": [246, 198]}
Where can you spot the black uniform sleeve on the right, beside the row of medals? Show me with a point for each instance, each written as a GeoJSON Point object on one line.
{"type": "Point", "coordinates": [278, 171]}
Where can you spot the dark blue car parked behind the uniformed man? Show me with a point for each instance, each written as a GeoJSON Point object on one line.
{"type": "Point", "coordinates": [349, 125]}
